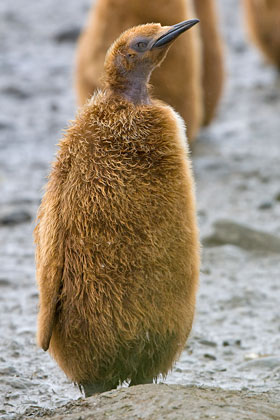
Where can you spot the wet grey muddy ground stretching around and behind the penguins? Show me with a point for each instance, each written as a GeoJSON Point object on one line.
{"type": "Point", "coordinates": [235, 342]}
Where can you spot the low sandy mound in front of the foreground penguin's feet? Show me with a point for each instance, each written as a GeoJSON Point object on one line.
{"type": "Point", "coordinates": [169, 402]}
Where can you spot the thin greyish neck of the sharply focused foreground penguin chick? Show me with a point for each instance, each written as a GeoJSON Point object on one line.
{"type": "Point", "coordinates": [133, 87]}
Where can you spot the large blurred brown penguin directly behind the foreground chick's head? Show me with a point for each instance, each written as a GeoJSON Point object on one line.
{"type": "Point", "coordinates": [177, 81]}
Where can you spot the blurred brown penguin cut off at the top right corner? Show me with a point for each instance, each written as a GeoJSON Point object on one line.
{"type": "Point", "coordinates": [263, 21]}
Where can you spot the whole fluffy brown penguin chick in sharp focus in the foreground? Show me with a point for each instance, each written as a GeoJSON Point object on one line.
{"type": "Point", "coordinates": [117, 240]}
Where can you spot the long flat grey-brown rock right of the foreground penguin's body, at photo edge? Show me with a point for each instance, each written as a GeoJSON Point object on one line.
{"type": "Point", "coordinates": [230, 232]}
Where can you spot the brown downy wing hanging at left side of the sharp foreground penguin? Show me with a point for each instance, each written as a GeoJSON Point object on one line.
{"type": "Point", "coordinates": [49, 239]}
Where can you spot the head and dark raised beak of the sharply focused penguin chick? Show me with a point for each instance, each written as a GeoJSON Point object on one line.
{"type": "Point", "coordinates": [140, 49]}
